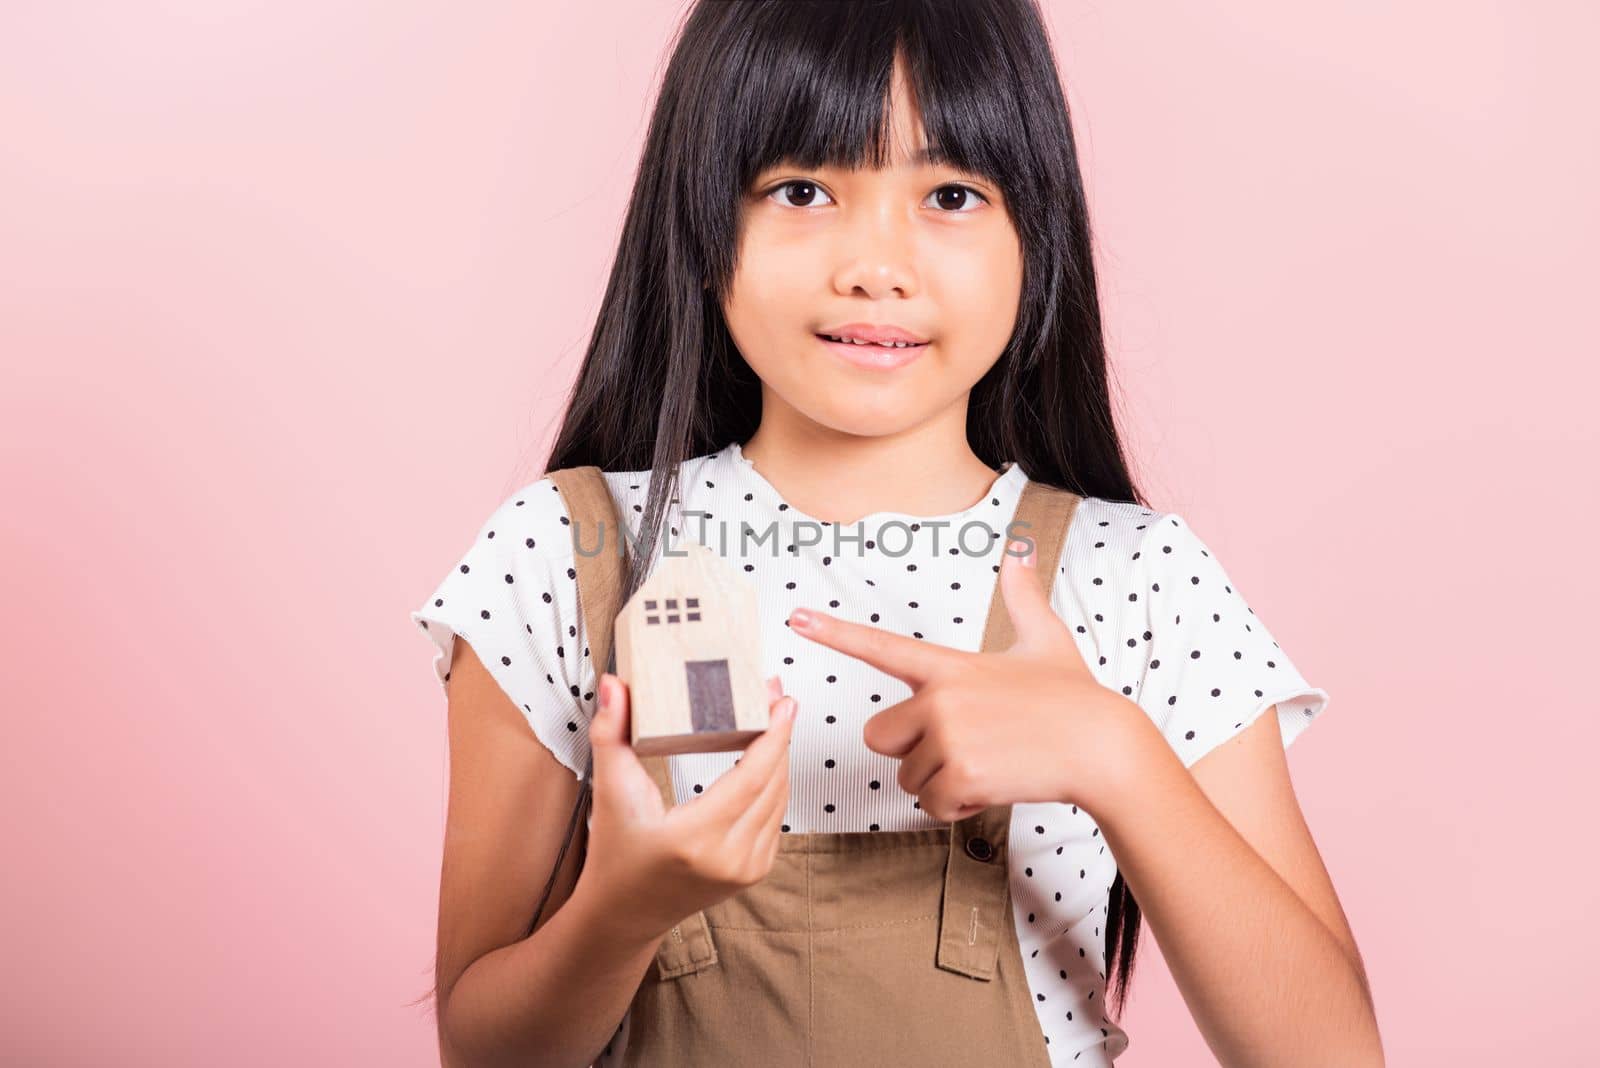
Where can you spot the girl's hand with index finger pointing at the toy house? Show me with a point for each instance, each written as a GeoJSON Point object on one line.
{"type": "Point", "coordinates": [1026, 725]}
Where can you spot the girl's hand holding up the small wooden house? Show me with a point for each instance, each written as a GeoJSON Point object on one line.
{"type": "Point", "coordinates": [652, 867]}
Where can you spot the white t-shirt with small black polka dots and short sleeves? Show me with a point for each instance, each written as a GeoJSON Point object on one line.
{"type": "Point", "coordinates": [1154, 615]}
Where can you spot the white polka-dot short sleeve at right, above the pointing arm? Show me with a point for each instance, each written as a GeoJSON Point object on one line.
{"type": "Point", "coordinates": [1212, 667]}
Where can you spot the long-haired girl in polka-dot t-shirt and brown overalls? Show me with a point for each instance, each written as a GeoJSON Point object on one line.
{"type": "Point", "coordinates": [855, 309]}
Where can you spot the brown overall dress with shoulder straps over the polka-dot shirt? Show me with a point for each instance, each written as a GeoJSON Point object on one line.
{"type": "Point", "coordinates": [857, 949]}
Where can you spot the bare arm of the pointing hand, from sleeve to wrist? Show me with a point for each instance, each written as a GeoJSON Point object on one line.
{"type": "Point", "coordinates": [1238, 898]}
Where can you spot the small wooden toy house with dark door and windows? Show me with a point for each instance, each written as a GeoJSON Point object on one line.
{"type": "Point", "coordinates": [689, 648]}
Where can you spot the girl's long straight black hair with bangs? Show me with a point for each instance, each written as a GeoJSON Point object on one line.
{"type": "Point", "coordinates": [758, 82]}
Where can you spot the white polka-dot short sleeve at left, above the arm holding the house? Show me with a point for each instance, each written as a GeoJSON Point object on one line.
{"type": "Point", "coordinates": [514, 599]}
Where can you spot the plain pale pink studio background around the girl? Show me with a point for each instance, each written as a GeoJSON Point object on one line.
{"type": "Point", "coordinates": [290, 297]}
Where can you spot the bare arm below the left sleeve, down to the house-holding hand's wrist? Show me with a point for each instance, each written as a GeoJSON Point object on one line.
{"type": "Point", "coordinates": [556, 997]}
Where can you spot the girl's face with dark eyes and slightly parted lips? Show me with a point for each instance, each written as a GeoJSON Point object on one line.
{"type": "Point", "coordinates": [930, 250]}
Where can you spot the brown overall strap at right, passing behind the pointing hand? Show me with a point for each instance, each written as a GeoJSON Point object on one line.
{"type": "Point", "coordinates": [977, 877]}
